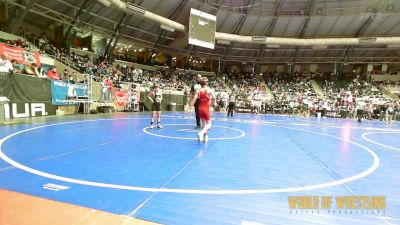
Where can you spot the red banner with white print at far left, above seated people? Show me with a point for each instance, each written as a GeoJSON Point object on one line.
{"type": "Point", "coordinates": [19, 54]}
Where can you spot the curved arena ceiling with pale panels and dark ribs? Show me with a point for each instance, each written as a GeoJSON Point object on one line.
{"type": "Point", "coordinates": [271, 18]}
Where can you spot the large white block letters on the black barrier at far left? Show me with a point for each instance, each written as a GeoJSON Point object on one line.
{"type": "Point", "coordinates": [29, 111]}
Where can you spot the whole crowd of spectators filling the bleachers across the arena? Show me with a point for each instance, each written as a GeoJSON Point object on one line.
{"type": "Point", "coordinates": [291, 94]}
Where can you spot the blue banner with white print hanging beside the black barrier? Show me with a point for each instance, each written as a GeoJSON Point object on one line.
{"type": "Point", "coordinates": [63, 93]}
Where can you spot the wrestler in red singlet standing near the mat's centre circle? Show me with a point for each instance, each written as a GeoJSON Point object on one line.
{"type": "Point", "coordinates": [206, 98]}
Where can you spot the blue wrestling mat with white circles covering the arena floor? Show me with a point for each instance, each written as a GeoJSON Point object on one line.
{"type": "Point", "coordinates": [255, 169]}
